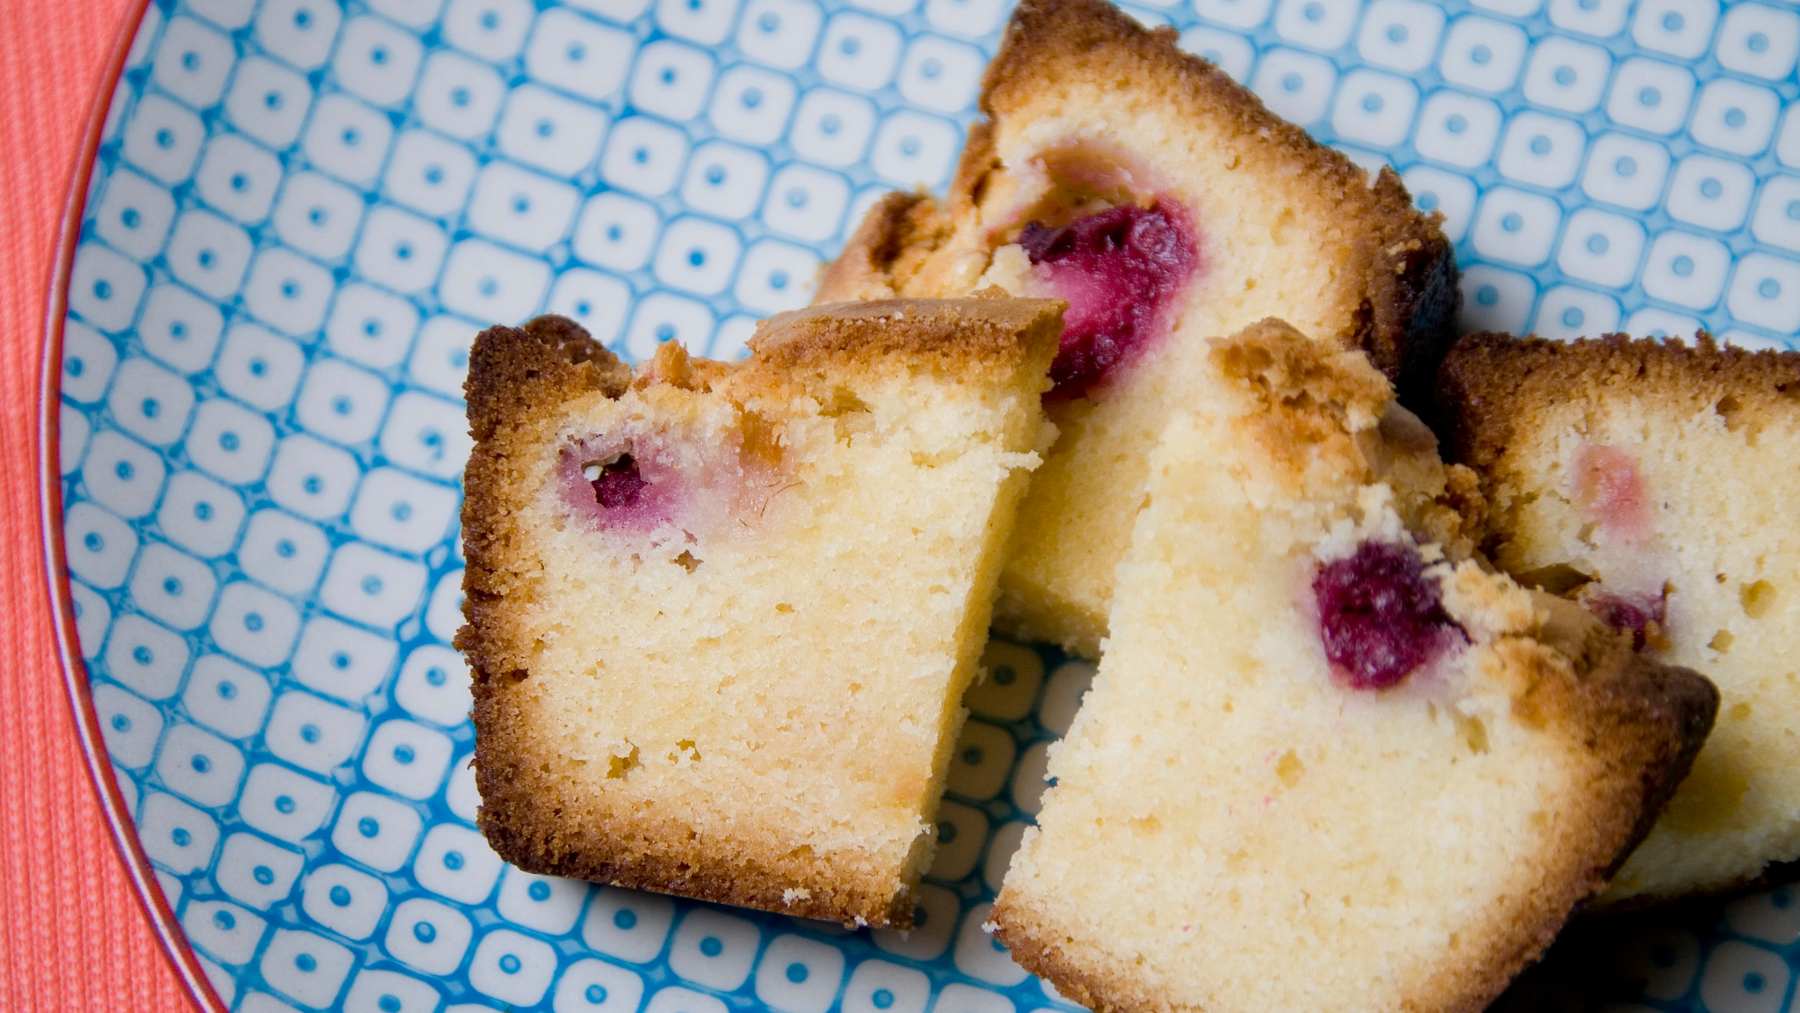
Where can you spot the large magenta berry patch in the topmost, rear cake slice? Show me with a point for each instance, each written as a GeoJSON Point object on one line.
{"type": "Point", "coordinates": [1119, 271]}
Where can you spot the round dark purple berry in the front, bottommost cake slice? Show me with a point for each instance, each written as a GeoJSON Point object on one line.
{"type": "Point", "coordinates": [1381, 618]}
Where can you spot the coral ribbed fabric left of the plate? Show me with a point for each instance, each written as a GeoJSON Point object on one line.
{"type": "Point", "coordinates": [73, 933]}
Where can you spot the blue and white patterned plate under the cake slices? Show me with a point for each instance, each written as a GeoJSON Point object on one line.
{"type": "Point", "coordinates": [303, 210]}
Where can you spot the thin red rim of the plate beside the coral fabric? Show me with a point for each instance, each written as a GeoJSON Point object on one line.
{"type": "Point", "coordinates": [76, 679]}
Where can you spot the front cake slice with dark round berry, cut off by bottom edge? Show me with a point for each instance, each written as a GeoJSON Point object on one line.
{"type": "Point", "coordinates": [1324, 737]}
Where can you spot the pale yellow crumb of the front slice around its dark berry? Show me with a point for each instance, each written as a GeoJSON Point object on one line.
{"type": "Point", "coordinates": [1225, 807]}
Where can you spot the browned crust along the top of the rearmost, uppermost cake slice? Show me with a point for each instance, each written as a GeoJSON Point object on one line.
{"type": "Point", "coordinates": [1405, 267]}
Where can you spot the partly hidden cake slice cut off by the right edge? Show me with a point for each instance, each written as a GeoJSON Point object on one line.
{"type": "Point", "coordinates": [1657, 485]}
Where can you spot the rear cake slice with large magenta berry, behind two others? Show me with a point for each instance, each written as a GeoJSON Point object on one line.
{"type": "Point", "coordinates": [1167, 206]}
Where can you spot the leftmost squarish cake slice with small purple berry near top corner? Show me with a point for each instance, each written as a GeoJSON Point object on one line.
{"type": "Point", "coordinates": [721, 618]}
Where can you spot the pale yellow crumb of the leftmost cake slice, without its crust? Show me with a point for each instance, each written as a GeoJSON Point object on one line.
{"type": "Point", "coordinates": [786, 681]}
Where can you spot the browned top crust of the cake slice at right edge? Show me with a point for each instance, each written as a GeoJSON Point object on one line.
{"type": "Point", "coordinates": [1491, 384]}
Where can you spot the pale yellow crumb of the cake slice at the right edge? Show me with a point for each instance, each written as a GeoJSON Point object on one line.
{"type": "Point", "coordinates": [1723, 541]}
